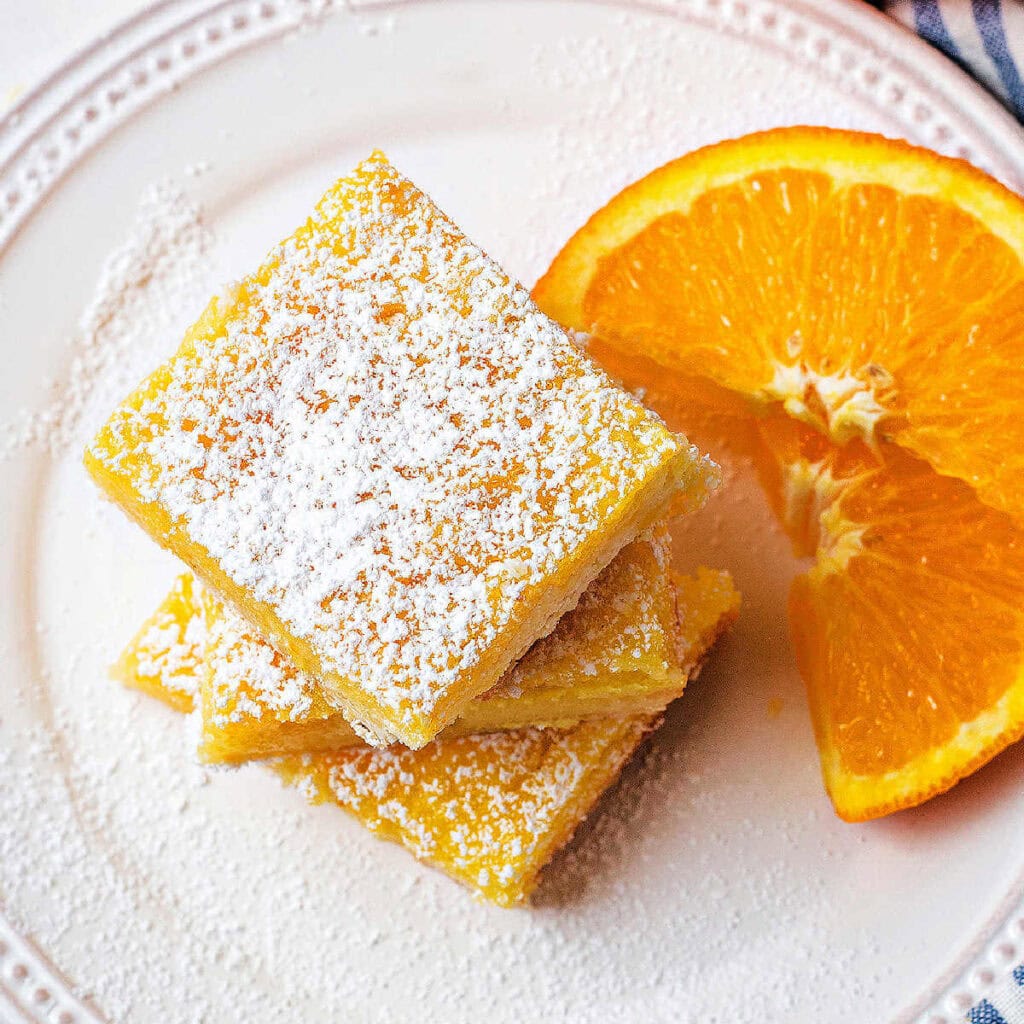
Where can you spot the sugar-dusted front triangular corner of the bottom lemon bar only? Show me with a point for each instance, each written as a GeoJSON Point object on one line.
{"type": "Point", "coordinates": [488, 810]}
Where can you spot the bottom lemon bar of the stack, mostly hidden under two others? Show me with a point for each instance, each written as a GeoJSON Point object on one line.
{"type": "Point", "coordinates": [488, 810]}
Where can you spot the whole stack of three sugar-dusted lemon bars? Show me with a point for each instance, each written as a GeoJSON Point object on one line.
{"type": "Point", "coordinates": [429, 564]}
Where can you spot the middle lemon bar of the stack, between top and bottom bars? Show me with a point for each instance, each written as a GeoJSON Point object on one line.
{"type": "Point", "coordinates": [614, 656]}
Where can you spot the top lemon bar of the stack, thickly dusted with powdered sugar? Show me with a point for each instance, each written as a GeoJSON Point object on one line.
{"type": "Point", "coordinates": [394, 465]}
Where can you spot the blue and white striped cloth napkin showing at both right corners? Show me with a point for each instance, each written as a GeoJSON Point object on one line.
{"type": "Point", "coordinates": [987, 39]}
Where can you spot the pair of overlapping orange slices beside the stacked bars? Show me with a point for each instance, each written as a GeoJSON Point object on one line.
{"type": "Point", "coordinates": [864, 303]}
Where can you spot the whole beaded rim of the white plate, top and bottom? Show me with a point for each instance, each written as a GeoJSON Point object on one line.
{"type": "Point", "coordinates": [81, 102]}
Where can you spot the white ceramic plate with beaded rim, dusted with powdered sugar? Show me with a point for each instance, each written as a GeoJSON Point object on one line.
{"type": "Point", "coordinates": [715, 884]}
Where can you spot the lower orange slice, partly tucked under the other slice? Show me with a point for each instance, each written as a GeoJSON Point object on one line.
{"type": "Point", "coordinates": [910, 628]}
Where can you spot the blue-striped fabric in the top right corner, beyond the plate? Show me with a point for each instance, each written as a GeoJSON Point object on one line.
{"type": "Point", "coordinates": [985, 37]}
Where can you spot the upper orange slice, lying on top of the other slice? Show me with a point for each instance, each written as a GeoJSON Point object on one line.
{"type": "Point", "coordinates": [875, 289]}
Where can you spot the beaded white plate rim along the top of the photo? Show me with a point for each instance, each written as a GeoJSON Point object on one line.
{"type": "Point", "coordinates": [73, 109]}
